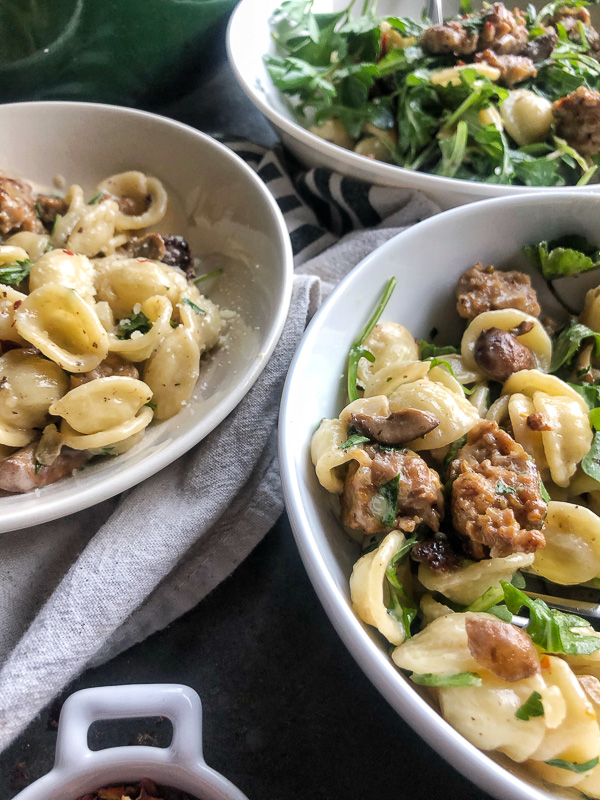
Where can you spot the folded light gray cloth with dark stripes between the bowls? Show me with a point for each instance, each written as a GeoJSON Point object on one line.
{"type": "Point", "coordinates": [77, 591]}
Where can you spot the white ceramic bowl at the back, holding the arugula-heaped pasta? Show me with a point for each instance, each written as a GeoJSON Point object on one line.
{"type": "Point", "coordinates": [248, 39]}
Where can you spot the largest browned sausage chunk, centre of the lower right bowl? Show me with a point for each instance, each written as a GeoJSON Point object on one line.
{"type": "Point", "coordinates": [497, 504]}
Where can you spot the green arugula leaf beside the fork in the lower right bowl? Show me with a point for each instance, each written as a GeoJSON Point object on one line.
{"type": "Point", "coordinates": [548, 628]}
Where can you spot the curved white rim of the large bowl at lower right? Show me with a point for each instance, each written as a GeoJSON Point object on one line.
{"type": "Point", "coordinates": [473, 763]}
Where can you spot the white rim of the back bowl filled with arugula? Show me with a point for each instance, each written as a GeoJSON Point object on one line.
{"type": "Point", "coordinates": [391, 173]}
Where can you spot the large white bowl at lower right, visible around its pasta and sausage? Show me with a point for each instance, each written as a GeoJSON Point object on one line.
{"type": "Point", "coordinates": [426, 261]}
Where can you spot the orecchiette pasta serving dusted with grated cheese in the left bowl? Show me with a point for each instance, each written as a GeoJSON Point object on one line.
{"type": "Point", "coordinates": [84, 313]}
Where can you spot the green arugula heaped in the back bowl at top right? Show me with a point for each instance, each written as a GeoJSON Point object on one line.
{"type": "Point", "coordinates": [371, 76]}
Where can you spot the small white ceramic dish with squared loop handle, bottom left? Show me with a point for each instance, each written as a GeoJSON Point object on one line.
{"type": "Point", "coordinates": [78, 770]}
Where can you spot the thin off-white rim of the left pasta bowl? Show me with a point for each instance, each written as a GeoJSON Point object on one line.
{"type": "Point", "coordinates": [55, 508]}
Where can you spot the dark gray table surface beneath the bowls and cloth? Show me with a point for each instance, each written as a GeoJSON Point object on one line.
{"type": "Point", "coordinates": [288, 715]}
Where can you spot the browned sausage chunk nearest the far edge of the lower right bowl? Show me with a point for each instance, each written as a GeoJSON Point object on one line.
{"type": "Point", "coordinates": [483, 288]}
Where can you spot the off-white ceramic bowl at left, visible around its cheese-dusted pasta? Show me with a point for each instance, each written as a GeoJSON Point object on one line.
{"type": "Point", "coordinates": [227, 215]}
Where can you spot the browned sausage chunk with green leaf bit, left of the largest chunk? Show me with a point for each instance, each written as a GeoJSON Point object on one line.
{"type": "Point", "coordinates": [420, 498]}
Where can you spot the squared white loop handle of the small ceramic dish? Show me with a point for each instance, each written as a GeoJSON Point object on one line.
{"type": "Point", "coordinates": [178, 703]}
